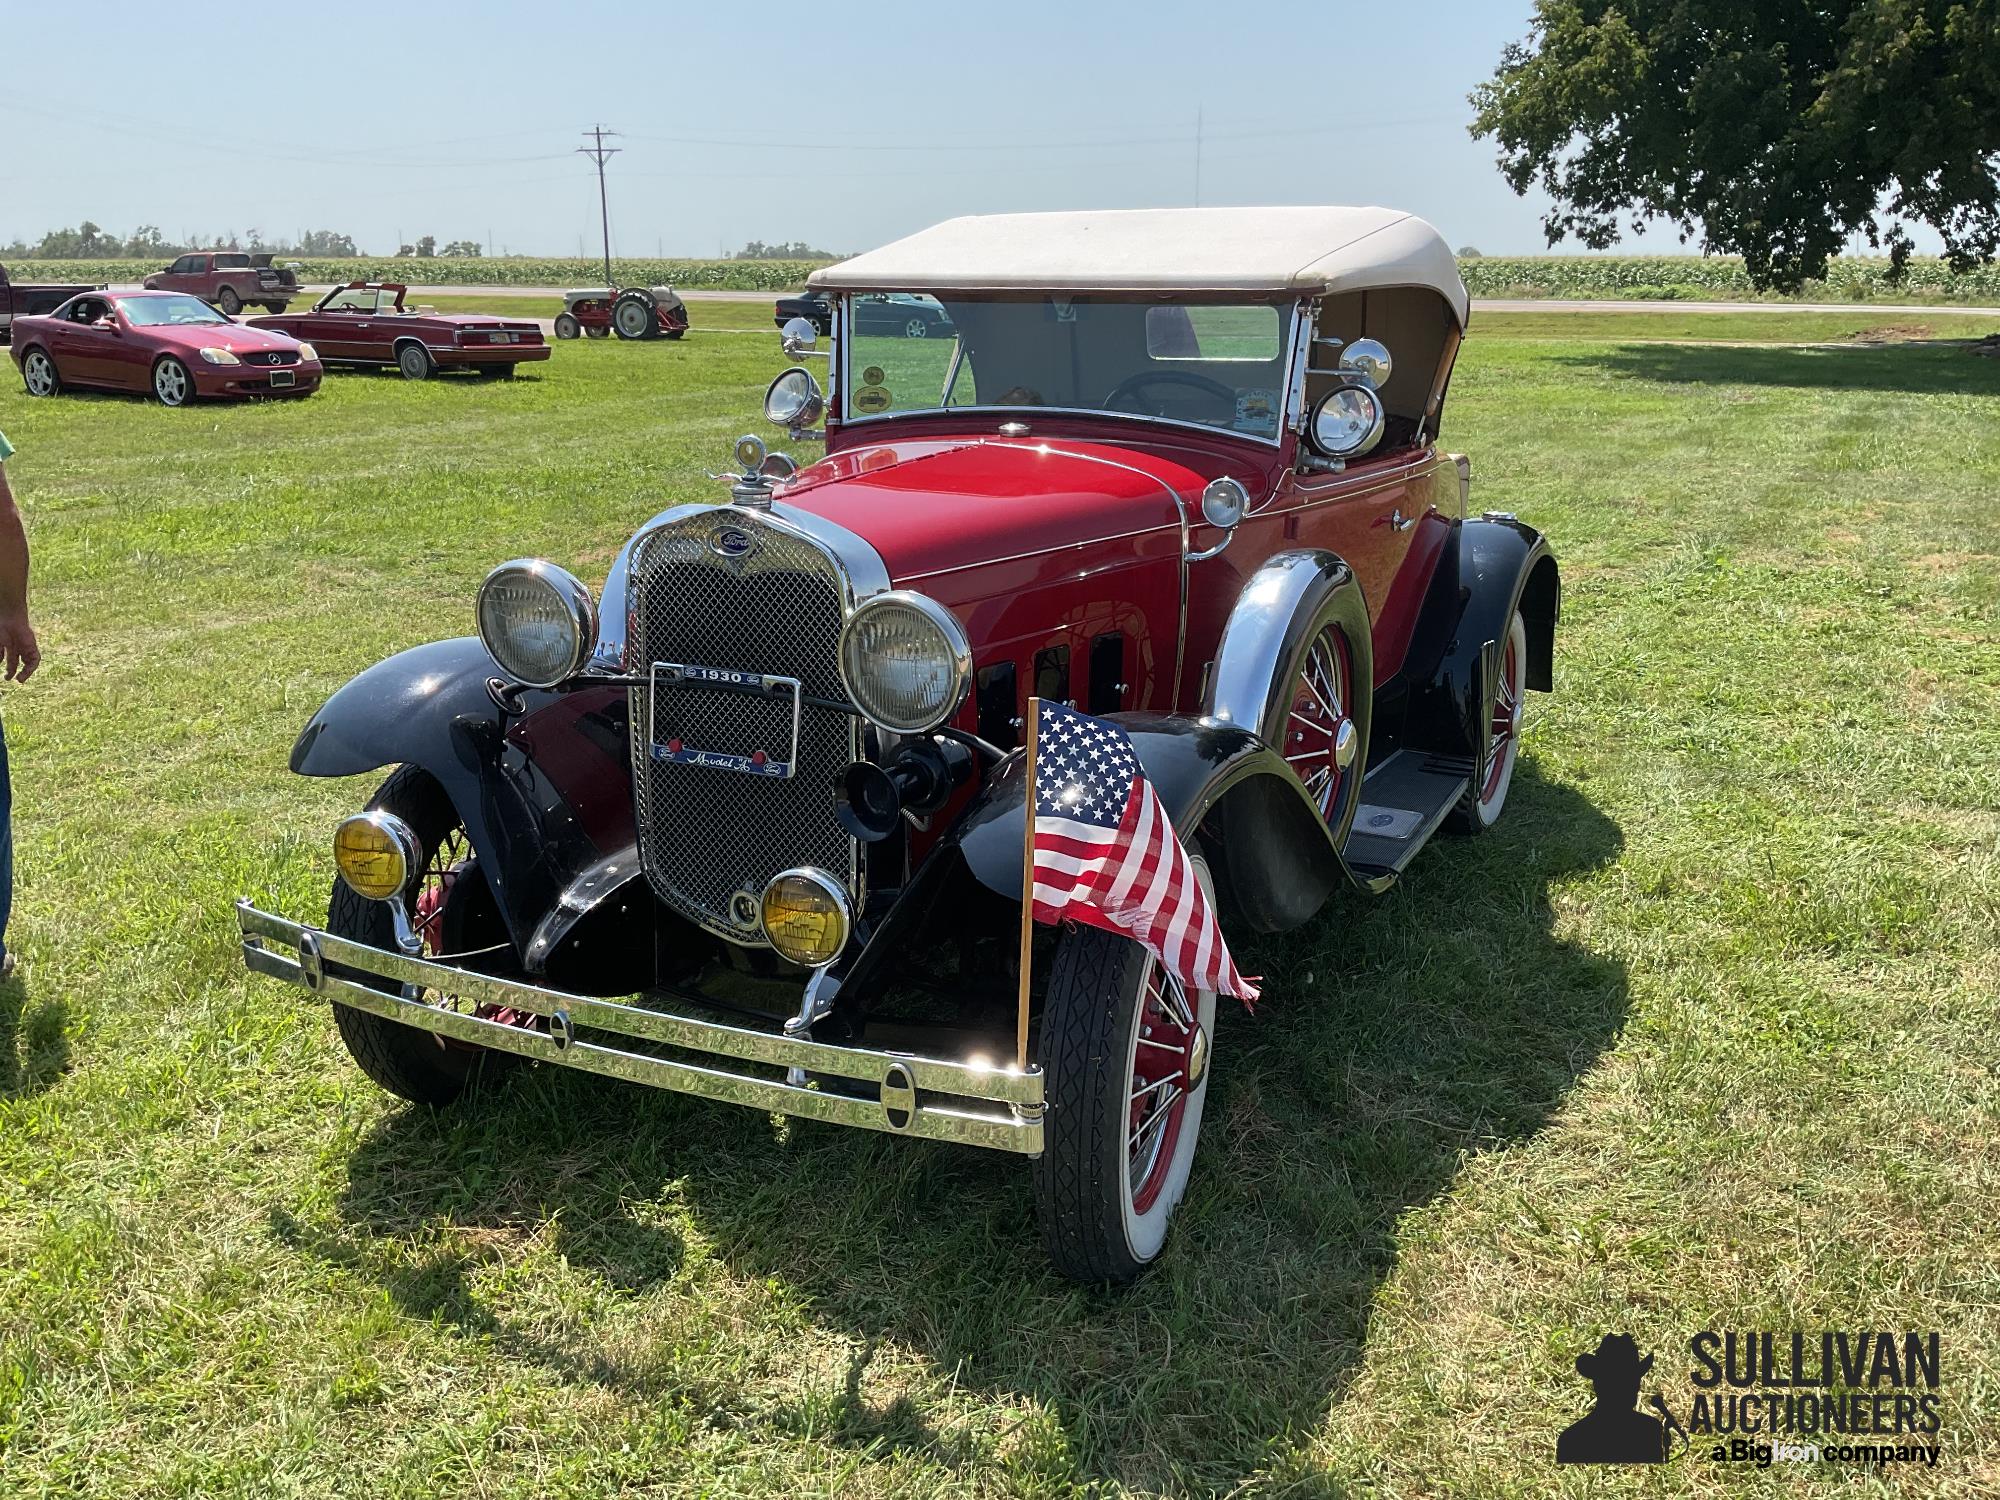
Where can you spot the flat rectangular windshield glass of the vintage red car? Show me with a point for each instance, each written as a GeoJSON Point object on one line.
{"type": "Point", "coordinates": [1207, 363]}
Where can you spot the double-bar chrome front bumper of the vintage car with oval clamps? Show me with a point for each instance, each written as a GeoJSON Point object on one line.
{"type": "Point", "coordinates": [897, 1093]}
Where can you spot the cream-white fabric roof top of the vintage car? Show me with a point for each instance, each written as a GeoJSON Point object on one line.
{"type": "Point", "coordinates": [1301, 251]}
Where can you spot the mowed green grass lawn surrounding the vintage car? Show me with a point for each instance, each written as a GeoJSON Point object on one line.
{"type": "Point", "coordinates": [1701, 1037]}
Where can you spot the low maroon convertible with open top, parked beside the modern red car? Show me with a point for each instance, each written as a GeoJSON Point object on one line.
{"type": "Point", "coordinates": [367, 323]}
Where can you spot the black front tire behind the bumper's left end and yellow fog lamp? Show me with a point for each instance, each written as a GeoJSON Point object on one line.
{"type": "Point", "coordinates": [409, 1063]}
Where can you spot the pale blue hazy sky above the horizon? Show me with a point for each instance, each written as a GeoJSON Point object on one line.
{"type": "Point", "coordinates": [843, 125]}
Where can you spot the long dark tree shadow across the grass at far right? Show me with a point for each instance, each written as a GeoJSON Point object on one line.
{"type": "Point", "coordinates": [1917, 369]}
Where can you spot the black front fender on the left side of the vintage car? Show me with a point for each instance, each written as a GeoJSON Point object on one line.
{"type": "Point", "coordinates": [543, 785]}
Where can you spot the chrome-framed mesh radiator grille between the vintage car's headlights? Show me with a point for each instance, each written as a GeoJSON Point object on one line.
{"type": "Point", "coordinates": [711, 839]}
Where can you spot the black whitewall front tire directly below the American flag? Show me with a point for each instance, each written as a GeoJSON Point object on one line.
{"type": "Point", "coordinates": [1095, 1225]}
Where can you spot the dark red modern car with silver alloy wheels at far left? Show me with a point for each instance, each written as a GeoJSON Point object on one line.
{"type": "Point", "coordinates": [165, 343]}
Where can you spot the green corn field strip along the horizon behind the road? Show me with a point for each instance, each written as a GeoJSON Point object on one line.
{"type": "Point", "coordinates": [1689, 279]}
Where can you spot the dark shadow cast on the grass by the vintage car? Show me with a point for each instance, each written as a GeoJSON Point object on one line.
{"type": "Point", "coordinates": [1395, 1039]}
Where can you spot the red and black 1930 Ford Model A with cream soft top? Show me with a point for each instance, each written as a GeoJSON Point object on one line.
{"type": "Point", "coordinates": [755, 831]}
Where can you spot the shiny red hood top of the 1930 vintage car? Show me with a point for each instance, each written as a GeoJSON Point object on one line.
{"type": "Point", "coordinates": [937, 509]}
